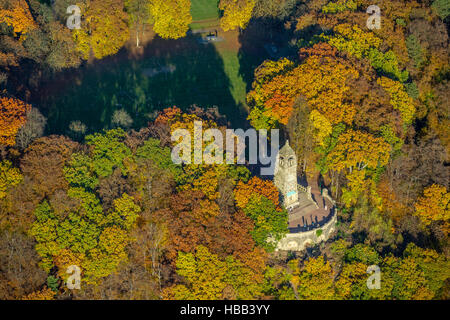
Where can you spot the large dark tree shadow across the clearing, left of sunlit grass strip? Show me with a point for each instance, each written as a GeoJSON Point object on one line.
{"type": "Point", "coordinates": [178, 73]}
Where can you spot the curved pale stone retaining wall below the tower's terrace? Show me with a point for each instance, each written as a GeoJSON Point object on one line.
{"type": "Point", "coordinates": [298, 241]}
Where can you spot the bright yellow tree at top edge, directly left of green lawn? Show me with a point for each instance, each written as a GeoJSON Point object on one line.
{"type": "Point", "coordinates": [171, 17]}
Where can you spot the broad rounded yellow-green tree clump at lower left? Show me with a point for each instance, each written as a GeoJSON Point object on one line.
{"type": "Point", "coordinates": [85, 235]}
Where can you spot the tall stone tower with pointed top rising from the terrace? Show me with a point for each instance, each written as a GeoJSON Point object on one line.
{"type": "Point", "coordinates": [285, 176]}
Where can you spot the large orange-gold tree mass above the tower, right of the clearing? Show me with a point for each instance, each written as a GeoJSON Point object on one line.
{"type": "Point", "coordinates": [320, 79]}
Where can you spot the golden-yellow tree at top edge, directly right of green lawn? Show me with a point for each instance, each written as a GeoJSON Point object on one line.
{"type": "Point", "coordinates": [236, 13]}
